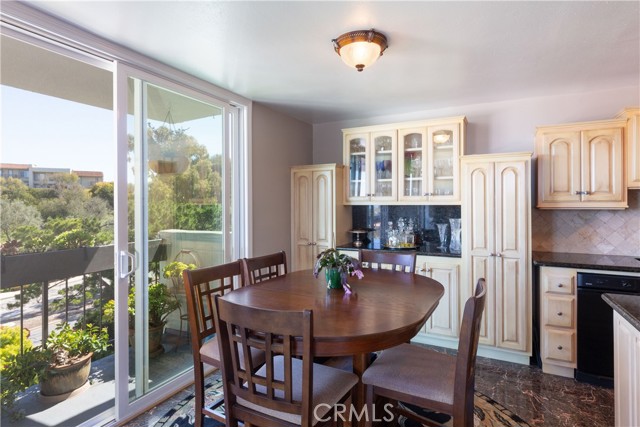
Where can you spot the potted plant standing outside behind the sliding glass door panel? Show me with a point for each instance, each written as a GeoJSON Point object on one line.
{"type": "Point", "coordinates": [161, 304]}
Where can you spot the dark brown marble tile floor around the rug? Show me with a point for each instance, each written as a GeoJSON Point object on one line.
{"type": "Point", "coordinates": [540, 399]}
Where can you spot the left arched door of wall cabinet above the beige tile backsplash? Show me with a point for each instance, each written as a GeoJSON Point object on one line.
{"type": "Point", "coordinates": [559, 167]}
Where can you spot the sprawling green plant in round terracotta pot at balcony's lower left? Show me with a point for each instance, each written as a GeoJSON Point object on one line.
{"type": "Point", "coordinates": [60, 366]}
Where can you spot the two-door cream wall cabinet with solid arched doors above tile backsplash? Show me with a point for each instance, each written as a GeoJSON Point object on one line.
{"type": "Point", "coordinates": [581, 166]}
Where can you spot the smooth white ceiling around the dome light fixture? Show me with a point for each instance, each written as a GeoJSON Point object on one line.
{"type": "Point", "coordinates": [440, 54]}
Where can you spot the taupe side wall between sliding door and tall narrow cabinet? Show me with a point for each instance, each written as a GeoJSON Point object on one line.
{"type": "Point", "coordinates": [278, 142]}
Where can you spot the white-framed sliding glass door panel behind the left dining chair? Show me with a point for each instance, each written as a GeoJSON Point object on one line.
{"type": "Point", "coordinates": [174, 204]}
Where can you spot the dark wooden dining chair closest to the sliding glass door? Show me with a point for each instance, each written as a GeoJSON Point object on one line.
{"type": "Point", "coordinates": [201, 285]}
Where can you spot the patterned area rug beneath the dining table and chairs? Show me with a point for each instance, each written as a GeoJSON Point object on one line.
{"type": "Point", "coordinates": [488, 412]}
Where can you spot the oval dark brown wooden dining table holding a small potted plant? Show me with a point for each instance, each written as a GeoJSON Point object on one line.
{"type": "Point", "coordinates": [383, 309]}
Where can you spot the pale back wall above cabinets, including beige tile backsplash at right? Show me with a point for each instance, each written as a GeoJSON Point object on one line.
{"type": "Point", "coordinates": [509, 126]}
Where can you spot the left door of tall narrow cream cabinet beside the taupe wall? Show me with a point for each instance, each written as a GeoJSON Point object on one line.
{"type": "Point", "coordinates": [302, 220]}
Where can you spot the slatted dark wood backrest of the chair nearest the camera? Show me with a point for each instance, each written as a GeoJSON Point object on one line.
{"type": "Point", "coordinates": [275, 332]}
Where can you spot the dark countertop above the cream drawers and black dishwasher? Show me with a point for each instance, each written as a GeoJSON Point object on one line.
{"type": "Point", "coordinates": [587, 261]}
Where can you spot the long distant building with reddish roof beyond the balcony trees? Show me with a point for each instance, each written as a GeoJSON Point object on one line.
{"type": "Point", "coordinates": [37, 177]}
